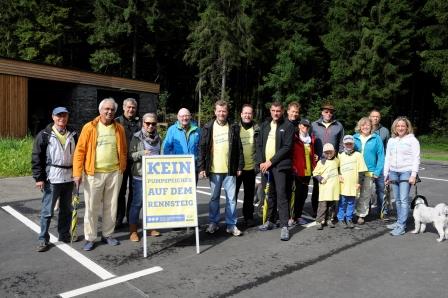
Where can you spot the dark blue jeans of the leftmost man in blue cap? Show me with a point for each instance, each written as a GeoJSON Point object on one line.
{"type": "Point", "coordinates": [52, 192]}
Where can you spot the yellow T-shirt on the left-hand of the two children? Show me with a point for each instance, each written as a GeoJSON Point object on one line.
{"type": "Point", "coordinates": [330, 190]}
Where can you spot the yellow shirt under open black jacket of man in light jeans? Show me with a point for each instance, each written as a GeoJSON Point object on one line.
{"type": "Point", "coordinates": [220, 151]}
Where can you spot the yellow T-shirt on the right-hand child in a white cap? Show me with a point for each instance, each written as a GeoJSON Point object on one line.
{"type": "Point", "coordinates": [351, 166]}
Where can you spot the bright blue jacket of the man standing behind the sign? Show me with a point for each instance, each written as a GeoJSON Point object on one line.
{"type": "Point", "coordinates": [178, 142]}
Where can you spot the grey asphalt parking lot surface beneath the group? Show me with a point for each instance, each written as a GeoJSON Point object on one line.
{"type": "Point", "coordinates": [364, 262]}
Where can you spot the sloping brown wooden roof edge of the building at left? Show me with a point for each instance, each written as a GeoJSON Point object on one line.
{"type": "Point", "coordinates": [54, 73]}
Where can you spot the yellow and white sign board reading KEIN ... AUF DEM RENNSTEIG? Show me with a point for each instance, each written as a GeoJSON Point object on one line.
{"type": "Point", "coordinates": [169, 192]}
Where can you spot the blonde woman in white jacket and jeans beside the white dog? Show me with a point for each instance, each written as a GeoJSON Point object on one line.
{"type": "Point", "coordinates": [401, 168]}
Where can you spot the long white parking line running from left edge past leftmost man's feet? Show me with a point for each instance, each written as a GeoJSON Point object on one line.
{"type": "Point", "coordinates": [77, 256]}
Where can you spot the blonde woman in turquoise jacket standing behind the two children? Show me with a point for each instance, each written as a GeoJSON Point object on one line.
{"type": "Point", "coordinates": [371, 147]}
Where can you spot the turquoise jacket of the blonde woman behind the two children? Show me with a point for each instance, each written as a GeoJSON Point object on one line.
{"type": "Point", "coordinates": [373, 153]}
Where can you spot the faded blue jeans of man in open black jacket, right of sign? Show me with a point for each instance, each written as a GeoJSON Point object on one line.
{"type": "Point", "coordinates": [229, 183]}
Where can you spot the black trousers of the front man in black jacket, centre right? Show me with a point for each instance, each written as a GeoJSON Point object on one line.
{"type": "Point", "coordinates": [278, 196]}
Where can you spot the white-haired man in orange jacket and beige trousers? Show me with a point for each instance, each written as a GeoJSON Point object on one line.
{"type": "Point", "coordinates": [101, 155]}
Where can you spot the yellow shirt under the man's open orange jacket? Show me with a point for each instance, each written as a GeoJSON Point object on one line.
{"type": "Point", "coordinates": [106, 156]}
